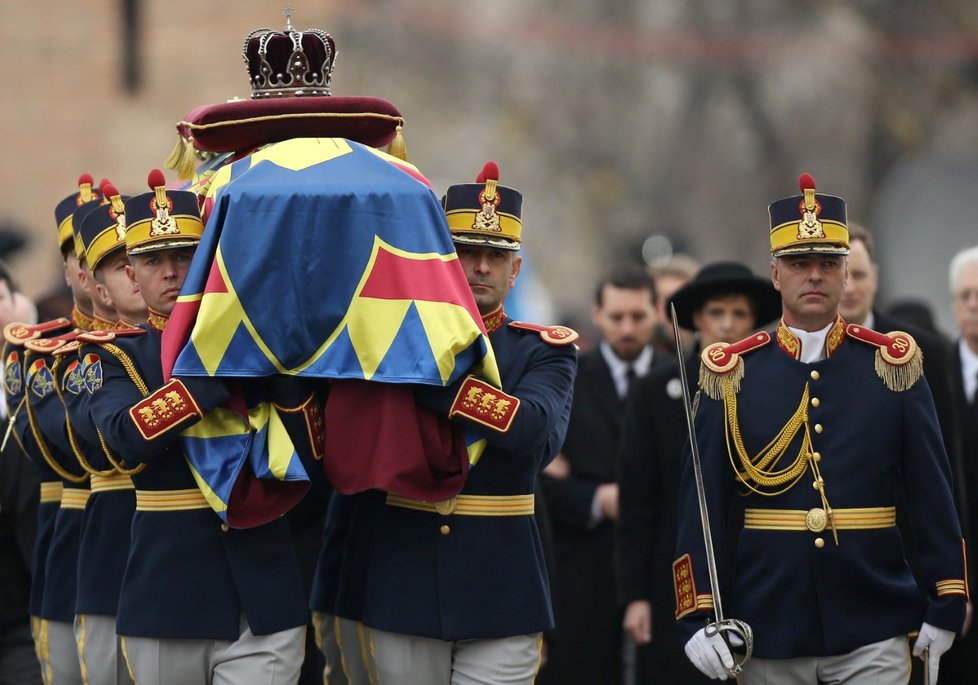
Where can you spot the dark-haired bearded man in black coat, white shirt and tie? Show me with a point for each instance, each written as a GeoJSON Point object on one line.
{"type": "Point", "coordinates": [581, 487]}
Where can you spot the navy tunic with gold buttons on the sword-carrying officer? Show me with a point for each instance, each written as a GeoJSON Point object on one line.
{"type": "Point", "coordinates": [799, 598]}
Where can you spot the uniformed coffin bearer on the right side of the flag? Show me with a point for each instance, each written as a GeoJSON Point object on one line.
{"type": "Point", "coordinates": [456, 591]}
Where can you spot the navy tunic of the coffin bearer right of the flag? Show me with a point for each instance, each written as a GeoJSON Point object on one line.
{"type": "Point", "coordinates": [486, 577]}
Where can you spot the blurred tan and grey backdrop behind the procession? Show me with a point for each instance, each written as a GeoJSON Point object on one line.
{"type": "Point", "coordinates": [668, 124]}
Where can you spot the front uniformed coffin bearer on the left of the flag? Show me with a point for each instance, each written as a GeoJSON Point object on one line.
{"type": "Point", "coordinates": [199, 601]}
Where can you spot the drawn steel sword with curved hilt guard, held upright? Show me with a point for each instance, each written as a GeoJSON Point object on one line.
{"type": "Point", "coordinates": [720, 625]}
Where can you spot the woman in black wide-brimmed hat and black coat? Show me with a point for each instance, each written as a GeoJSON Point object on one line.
{"type": "Point", "coordinates": [724, 303]}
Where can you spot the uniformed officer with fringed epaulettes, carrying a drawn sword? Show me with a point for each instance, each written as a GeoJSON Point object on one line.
{"type": "Point", "coordinates": [808, 434]}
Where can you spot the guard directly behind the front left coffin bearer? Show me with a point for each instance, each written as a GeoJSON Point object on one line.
{"type": "Point", "coordinates": [105, 535]}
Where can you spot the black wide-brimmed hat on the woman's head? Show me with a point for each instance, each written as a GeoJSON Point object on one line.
{"type": "Point", "coordinates": [726, 278]}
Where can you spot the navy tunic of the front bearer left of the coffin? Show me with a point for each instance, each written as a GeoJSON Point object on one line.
{"type": "Point", "coordinates": [189, 577]}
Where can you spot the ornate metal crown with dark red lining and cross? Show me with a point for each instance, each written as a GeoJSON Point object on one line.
{"type": "Point", "coordinates": [290, 63]}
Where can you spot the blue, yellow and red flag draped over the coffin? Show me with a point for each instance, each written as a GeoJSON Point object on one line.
{"type": "Point", "coordinates": [327, 259]}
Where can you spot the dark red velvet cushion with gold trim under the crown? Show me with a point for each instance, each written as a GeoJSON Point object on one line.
{"type": "Point", "coordinates": [245, 124]}
